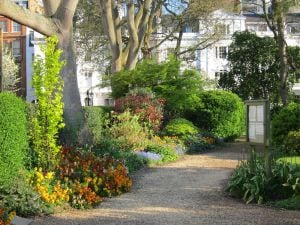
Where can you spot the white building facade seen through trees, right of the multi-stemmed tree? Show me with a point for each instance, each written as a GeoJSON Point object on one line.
{"type": "Point", "coordinates": [212, 61]}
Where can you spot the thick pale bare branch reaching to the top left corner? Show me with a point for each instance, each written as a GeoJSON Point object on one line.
{"type": "Point", "coordinates": [38, 22]}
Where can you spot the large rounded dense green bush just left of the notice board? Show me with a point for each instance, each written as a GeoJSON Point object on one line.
{"type": "Point", "coordinates": [221, 113]}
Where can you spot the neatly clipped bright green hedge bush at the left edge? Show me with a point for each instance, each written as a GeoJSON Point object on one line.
{"type": "Point", "coordinates": [13, 136]}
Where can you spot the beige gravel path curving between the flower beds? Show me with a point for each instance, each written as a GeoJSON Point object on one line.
{"type": "Point", "coordinates": [189, 191]}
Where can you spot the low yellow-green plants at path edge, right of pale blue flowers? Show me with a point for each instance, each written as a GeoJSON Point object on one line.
{"type": "Point", "coordinates": [168, 154]}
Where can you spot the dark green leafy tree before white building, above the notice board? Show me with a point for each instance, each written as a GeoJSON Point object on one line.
{"type": "Point", "coordinates": [253, 67]}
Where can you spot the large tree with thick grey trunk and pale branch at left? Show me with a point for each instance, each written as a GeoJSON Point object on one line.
{"type": "Point", "coordinates": [57, 20]}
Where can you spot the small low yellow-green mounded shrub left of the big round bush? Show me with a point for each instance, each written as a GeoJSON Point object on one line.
{"type": "Point", "coordinates": [181, 128]}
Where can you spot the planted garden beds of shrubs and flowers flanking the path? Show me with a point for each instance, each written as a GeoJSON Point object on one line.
{"type": "Point", "coordinates": [160, 113]}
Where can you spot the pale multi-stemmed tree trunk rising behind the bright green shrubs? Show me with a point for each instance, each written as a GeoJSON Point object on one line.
{"type": "Point", "coordinates": [126, 43]}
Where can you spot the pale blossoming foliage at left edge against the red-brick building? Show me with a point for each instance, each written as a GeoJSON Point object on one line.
{"type": "Point", "coordinates": [10, 70]}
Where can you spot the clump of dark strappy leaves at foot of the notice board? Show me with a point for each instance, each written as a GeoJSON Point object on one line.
{"type": "Point", "coordinates": [250, 182]}
